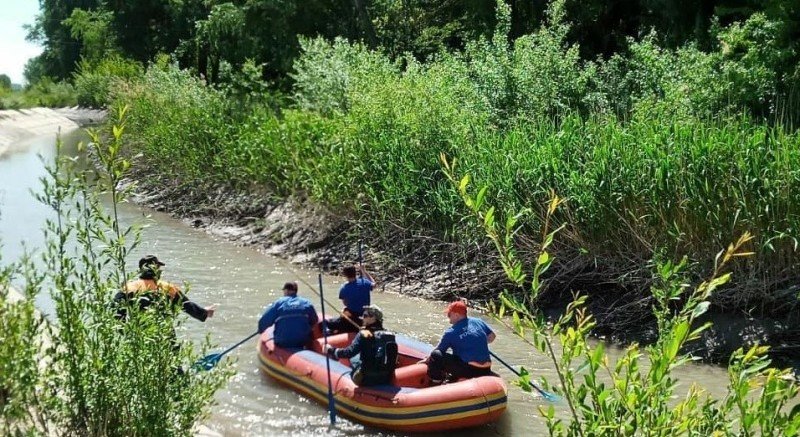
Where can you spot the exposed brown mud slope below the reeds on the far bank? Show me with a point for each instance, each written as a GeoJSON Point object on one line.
{"type": "Point", "coordinates": [415, 264]}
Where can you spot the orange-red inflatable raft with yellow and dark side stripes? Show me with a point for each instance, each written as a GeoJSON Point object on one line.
{"type": "Point", "coordinates": [409, 404]}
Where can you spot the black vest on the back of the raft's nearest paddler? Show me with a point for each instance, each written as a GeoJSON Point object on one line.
{"type": "Point", "coordinates": [378, 359]}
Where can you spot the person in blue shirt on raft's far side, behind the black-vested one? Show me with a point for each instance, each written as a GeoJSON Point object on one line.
{"type": "Point", "coordinates": [355, 295]}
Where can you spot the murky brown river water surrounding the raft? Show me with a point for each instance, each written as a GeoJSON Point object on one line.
{"type": "Point", "coordinates": [242, 281]}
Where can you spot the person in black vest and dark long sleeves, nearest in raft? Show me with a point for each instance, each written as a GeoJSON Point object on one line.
{"type": "Point", "coordinates": [373, 352]}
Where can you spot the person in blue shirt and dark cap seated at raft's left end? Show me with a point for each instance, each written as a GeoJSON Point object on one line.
{"type": "Point", "coordinates": [293, 317]}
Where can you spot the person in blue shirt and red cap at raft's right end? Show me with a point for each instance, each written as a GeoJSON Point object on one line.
{"type": "Point", "coordinates": [469, 338]}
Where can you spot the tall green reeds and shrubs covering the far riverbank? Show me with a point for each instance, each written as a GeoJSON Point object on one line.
{"type": "Point", "coordinates": [656, 155]}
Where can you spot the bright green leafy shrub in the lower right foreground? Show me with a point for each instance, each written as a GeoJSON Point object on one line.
{"type": "Point", "coordinates": [636, 395]}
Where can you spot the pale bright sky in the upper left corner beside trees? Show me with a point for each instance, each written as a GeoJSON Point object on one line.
{"type": "Point", "coordinates": [14, 50]}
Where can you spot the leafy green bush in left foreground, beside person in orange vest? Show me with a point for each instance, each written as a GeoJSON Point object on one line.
{"type": "Point", "coordinates": [83, 372]}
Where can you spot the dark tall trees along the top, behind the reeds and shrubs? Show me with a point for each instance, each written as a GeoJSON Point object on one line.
{"type": "Point", "coordinates": [205, 34]}
